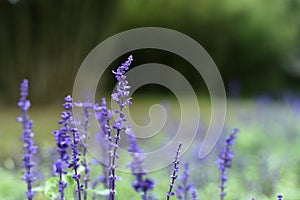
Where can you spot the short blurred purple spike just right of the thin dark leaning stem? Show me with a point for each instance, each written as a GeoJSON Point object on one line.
{"type": "Point", "coordinates": [185, 188]}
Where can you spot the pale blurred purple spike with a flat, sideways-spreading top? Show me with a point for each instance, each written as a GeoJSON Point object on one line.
{"type": "Point", "coordinates": [87, 108]}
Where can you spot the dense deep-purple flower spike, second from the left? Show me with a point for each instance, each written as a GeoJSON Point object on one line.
{"type": "Point", "coordinates": [63, 142]}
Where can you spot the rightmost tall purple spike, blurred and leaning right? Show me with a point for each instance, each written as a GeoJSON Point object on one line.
{"type": "Point", "coordinates": [224, 160]}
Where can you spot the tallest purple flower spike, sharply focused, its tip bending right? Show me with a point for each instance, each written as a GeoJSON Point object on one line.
{"type": "Point", "coordinates": [121, 97]}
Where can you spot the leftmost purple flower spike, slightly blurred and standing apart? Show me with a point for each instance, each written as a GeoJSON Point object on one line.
{"type": "Point", "coordinates": [29, 148]}
